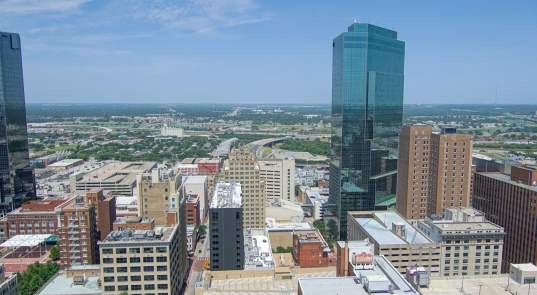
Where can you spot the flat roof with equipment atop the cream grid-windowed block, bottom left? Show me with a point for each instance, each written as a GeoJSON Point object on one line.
{"type": "Point", "coordinates": [159, 234]}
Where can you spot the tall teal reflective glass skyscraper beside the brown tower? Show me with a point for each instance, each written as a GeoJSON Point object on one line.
{"type": "Point", "coordinates": [367, 111]}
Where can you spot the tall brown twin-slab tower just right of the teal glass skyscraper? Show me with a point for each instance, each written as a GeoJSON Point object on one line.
{"type": "Point", "coordinates": [434, 171]}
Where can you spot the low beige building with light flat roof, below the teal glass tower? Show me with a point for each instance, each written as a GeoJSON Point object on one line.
{"type": "Point", "coordinates": [396, 239]}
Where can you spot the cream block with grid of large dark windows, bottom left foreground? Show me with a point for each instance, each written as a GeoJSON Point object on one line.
{"type": "Point", "coordinates": [144, 261]}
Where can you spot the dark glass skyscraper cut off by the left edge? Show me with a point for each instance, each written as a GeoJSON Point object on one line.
{"type": "Point", "coordinates": [16, 177]}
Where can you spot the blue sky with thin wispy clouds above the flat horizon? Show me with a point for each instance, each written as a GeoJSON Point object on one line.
{"type": "Point", "coordinates": [187, 51]}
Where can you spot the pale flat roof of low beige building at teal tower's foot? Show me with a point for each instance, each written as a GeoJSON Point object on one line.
{"type": "Point", "coordinates": [379, 227]}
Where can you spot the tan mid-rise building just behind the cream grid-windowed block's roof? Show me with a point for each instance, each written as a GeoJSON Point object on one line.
{"type": "Point", "coordinates": [159, 196]}
